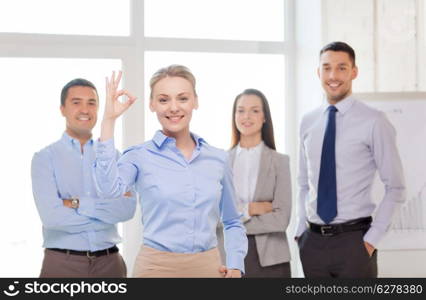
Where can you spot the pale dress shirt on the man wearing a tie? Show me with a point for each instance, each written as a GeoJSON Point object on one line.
{"type": "Point", "coordinates": [365, 142]}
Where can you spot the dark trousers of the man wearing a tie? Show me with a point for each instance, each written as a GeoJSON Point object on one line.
{"type": "Point", "coordinates": [340, 256]}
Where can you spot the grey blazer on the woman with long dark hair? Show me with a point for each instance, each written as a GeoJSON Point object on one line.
{"type": "Point", "coordinates": [273, 184]}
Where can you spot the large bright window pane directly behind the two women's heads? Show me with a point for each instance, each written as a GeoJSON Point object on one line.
{"type": "Point", "coordinates": [220, 78]}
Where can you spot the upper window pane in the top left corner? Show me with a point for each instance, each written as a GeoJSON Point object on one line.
{"type": "Point", "coordinates": [86, 17]}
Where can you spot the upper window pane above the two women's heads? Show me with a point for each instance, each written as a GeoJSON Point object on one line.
{"type": "Point", "coordinates": [216, 19]}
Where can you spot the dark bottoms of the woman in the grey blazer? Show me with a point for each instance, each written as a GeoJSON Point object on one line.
{"type": "Point", "coordinates": [255, 270]}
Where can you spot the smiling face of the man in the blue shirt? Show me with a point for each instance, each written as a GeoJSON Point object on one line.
{"type": "Point", "coordinates": [80, 111]}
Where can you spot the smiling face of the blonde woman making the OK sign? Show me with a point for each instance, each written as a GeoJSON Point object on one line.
{"type": "Point", "coordinates": [173, 99]}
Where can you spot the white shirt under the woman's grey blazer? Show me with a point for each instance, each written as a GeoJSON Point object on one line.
{"type": "Point", "coordinates": [246, 170]}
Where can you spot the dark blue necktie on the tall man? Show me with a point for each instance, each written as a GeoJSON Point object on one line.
{"type": "Point", "coordinates": [327, 194]}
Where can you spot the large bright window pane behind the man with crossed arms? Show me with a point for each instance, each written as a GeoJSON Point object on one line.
{"type": "Point", "coordinates": [33, 121]}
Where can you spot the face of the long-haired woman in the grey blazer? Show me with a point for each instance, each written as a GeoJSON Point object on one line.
{"type": "Point", "coordinates": [249, 116]}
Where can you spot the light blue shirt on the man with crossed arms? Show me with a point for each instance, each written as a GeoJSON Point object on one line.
{"type": "Point", "coordinates": [61, 171]}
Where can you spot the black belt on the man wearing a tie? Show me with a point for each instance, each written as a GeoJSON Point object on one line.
{"type": "Point", "coordinates": [333, 229]}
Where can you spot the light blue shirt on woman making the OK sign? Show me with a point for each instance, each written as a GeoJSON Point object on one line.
{"type": "Point", "coordinates": [182, 200]}
